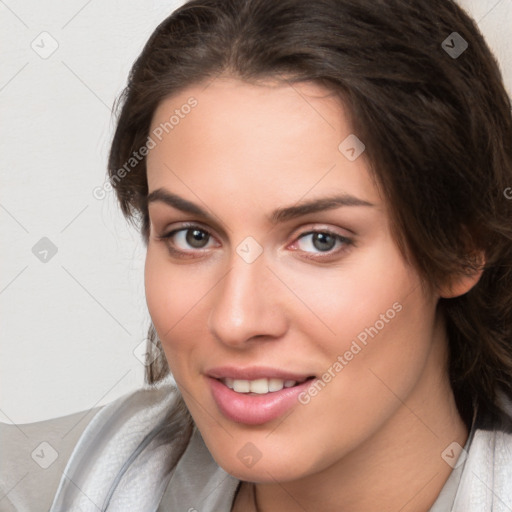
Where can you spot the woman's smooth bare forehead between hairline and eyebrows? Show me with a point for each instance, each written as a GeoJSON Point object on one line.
{"type": "Point", "coordinates": [270, 142]}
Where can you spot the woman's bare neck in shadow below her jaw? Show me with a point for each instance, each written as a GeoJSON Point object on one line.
{"type": "Point", "coordinates": [398, 468]}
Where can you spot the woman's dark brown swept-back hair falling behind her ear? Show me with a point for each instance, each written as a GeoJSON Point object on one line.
{"type": "Point", "coordinates": [437, 129]}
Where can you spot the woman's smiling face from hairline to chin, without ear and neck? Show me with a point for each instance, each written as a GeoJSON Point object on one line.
{"type": "Point", "coordinates": [270, 261]}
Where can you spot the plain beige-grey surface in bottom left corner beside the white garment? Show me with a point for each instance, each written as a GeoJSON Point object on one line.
{"type": "Point", "coordinates": [34, 456]}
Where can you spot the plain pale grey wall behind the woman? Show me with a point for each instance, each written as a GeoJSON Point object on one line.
{"type": "Point", "coordinates": [70, 325]}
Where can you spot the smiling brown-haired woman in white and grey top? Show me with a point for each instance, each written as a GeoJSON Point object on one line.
{"type": "Point", "coordinates": [321, 187]}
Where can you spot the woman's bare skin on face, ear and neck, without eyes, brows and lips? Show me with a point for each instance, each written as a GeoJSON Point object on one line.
{"type": "Point", "coordinates": [372, 438]}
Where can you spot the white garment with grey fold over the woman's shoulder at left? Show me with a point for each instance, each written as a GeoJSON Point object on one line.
{"type": "Point", "coordinates": [127, 452]}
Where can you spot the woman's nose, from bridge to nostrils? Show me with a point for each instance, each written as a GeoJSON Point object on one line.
{"type": "Point", "coordinates": [246, 305]}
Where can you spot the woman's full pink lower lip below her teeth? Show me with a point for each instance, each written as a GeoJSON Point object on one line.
{"type": "Point", "coordinates": [253, 409]}
